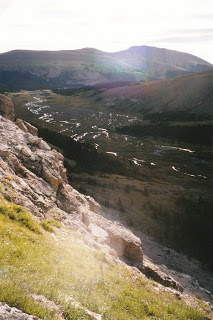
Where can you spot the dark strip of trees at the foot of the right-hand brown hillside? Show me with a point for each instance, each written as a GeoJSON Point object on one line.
{"type": "Point", "coordinates": [200, 134]}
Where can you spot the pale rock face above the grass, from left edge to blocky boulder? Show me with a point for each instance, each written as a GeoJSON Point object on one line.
{"type": "Point", "coordinates": [33, 175]}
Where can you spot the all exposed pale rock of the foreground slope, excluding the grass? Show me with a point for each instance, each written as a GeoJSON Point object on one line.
{"type": "Point", "coordinates": [33, 175]}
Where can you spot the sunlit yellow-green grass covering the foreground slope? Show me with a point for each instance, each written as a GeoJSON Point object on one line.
{"type": "Point", "coordinates": [32, 262]}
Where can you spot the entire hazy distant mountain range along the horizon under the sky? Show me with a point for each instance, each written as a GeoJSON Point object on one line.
{"type": "Point", "coordinates": [22, 69]}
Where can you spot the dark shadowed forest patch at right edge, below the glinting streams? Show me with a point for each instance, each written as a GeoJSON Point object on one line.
{"type": "Point", "coordinates": [189, 228]}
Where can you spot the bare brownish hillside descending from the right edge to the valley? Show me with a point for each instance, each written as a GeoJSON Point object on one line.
{"type": "Point", "coordinates": [192, 94]}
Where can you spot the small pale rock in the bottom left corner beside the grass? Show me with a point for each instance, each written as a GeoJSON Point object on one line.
{"type": "Point", "coordinates": [8, 313]}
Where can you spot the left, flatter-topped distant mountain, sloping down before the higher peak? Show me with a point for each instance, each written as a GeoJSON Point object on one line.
{"type": "Point", "coordinates": [64, 68]}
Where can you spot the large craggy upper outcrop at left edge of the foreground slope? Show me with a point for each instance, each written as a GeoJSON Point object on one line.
{"type": "Point", "coordinates": [35, 175]}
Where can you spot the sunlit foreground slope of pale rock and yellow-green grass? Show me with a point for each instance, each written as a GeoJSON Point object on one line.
{"type": "Point", "coordinates": [63, 256]}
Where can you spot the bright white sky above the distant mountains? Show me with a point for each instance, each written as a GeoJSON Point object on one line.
{"type": "Point", "coordinates": [108, 25]}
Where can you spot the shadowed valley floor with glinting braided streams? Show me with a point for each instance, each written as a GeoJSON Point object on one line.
{"type": "Point", "coordinates": [165, 185]}
